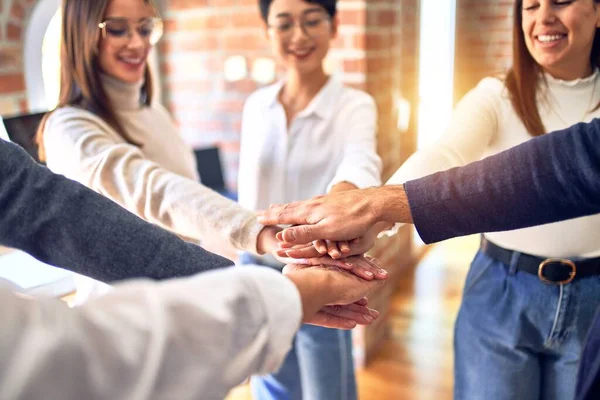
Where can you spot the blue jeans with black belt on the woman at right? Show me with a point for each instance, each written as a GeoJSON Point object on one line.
{"type": "Point", "coordinates": [517, 337]}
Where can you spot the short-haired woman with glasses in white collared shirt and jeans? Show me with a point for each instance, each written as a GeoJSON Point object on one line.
{"type": "Point", "coordinates": [303, 136]}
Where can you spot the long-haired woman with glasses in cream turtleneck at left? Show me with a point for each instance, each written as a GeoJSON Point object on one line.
{"type": "Point", "coordinates": [110, 134]}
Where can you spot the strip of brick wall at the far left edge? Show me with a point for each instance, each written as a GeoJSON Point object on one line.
{"type": "Point", "coordinates": [13, 18]}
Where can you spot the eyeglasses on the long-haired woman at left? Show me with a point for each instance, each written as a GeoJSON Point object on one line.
{"type": "Point", "coordinates": [120, 29]}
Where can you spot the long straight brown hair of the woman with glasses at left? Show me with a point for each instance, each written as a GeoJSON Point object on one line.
{"type": "Point", "coordinates": [80, 83]}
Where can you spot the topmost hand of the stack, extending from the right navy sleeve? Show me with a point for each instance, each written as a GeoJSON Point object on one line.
{"type": "Point", "coordinates": [338, 216]}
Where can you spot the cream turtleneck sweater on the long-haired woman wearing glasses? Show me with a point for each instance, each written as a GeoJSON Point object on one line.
{"type": "Point", "coordinates": [157, 180]}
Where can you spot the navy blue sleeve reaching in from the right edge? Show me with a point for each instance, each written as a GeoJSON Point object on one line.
{"type": "Point", "coordinates": [547, 179]}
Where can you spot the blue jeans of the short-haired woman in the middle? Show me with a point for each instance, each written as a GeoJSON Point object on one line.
{"type": "Point", "coordinates": [318, 367]}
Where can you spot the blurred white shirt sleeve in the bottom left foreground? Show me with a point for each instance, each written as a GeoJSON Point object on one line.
{"type": "Point", "coordinates": [190, 338]}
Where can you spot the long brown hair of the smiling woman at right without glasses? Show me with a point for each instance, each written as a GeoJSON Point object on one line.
{"type": "Point", "coordinates": [522, 80]}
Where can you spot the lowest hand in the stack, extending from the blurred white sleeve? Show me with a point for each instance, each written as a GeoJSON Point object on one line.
{"type": "Point", "coordinates": [329, 295]}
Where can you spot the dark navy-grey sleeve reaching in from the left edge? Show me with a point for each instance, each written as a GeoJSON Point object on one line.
{"type": "Point", "coordinates": [63, 223]}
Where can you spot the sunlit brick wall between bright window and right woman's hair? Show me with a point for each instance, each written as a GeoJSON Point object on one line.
{"type": "Point", "coordinates": [483, 41]}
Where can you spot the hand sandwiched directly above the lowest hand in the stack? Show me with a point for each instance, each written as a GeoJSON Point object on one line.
{"type": "Point", "coordinates": [365, 267]}
